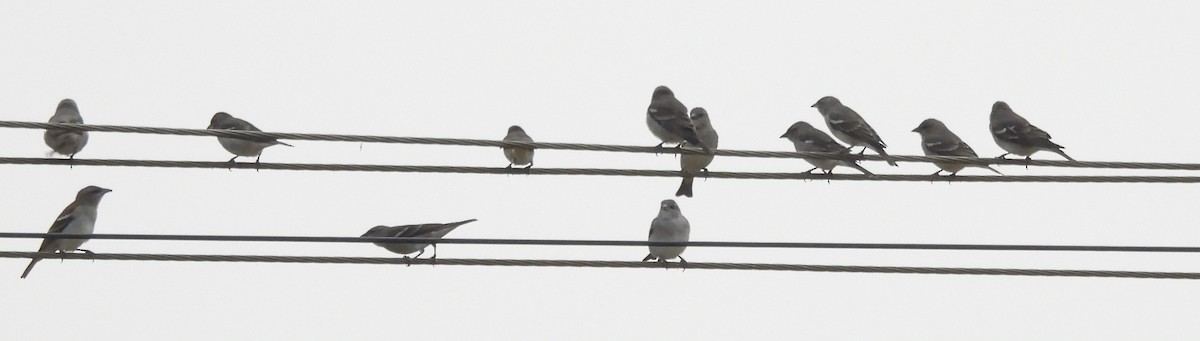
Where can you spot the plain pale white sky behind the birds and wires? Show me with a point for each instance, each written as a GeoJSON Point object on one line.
{"type": "Point", "coordinates": [1111, 81]}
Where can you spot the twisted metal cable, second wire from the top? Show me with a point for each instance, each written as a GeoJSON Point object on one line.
{"type": "Point", "coordinates": [463, 170]}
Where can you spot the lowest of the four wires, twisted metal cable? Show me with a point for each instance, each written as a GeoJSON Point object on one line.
{"type": "Point", "coordinates": [563, 264]}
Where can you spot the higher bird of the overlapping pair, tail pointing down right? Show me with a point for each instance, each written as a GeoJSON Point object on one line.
{"type": "Point", "coordinates": [845, 124]}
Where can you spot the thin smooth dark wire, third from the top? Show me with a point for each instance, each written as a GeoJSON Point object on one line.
{"type": "Point", "coordinates": [611, 243]}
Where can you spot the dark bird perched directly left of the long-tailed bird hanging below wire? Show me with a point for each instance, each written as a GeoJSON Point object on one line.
{"type": "Point", "coordinates": [668, 119]}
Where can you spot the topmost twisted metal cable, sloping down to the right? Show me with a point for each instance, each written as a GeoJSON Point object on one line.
{"type": "Point", "coordinates": [596, 147]}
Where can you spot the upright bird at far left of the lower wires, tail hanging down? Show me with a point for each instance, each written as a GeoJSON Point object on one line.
{"type": "Point", "coordinates": [80, 218]}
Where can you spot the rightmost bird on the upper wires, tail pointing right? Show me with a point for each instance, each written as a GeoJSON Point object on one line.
{"type": "Point", "coordinates": [1016, 135]}
